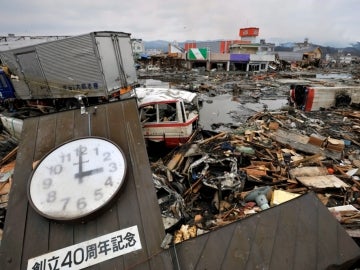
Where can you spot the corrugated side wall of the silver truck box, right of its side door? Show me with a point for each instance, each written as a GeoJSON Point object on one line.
{"type": "Point", "coordinates": [70, 63]}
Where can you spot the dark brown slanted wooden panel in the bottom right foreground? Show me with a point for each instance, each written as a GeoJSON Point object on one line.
{"type": "Point", "coordinates": [289, 236]}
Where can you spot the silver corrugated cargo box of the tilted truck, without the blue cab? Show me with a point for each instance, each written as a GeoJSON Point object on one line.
{"type": "Point", "coordinates": [96, 64]}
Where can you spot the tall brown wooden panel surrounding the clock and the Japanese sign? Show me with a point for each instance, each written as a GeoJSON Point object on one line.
{"type": "Point", "coordinates": [136, 204]}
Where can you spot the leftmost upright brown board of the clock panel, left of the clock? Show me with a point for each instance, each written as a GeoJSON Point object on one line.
{"type": "Point", "coordinates": [13, 236]}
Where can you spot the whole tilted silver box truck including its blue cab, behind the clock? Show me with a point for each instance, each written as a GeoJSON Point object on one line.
{"type": "Point", "coordinates": [58, 74]}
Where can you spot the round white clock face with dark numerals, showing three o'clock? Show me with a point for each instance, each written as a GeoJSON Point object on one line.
{"type": "Point", "coordinates": [77, 178]}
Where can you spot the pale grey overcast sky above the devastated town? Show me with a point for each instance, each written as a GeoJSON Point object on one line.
{"type": "Point", "coordinates": [324, 22]}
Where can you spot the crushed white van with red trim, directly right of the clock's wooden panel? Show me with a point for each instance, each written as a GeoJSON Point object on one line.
{"type": "Point", "coordinates": [169, 116]}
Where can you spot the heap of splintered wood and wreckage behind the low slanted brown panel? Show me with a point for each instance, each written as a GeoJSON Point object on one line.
{"type": "Point", "coordinates": [217, 178]}
